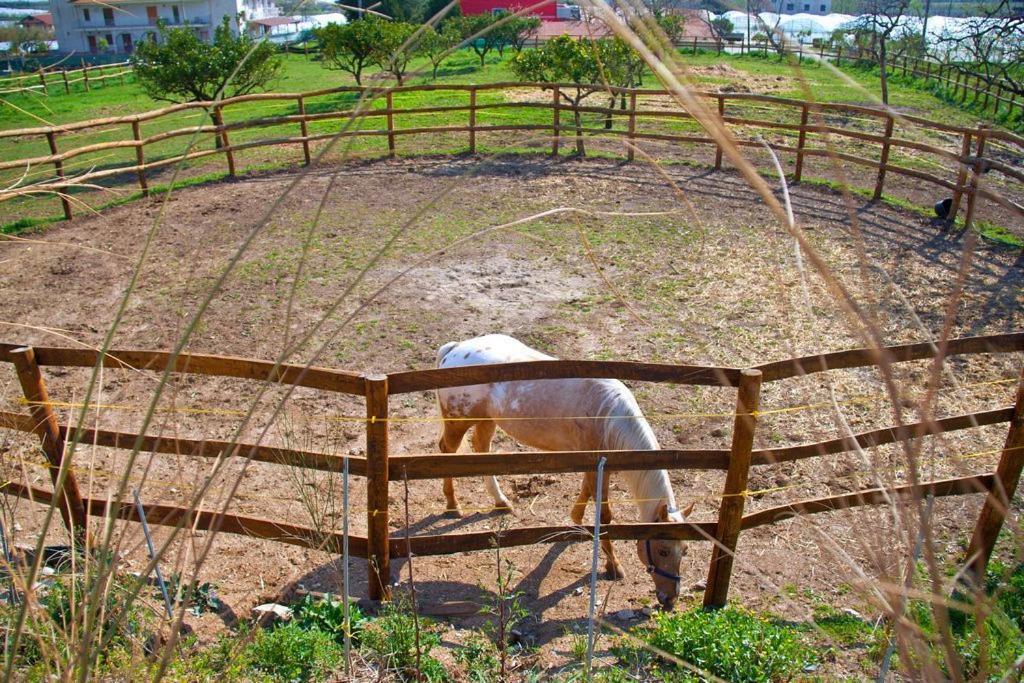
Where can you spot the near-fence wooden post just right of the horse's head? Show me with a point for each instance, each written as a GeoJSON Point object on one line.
{"type": "Point", "coordinates": [732, 511]}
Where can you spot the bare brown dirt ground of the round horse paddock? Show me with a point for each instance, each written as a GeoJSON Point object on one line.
{"type": "Point", "coordinates": [713, 282]}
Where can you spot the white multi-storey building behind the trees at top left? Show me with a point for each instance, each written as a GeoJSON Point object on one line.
{"type": "Point", "coordinates": [117, 26]}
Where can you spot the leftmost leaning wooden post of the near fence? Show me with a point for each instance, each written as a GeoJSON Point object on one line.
{"type": "Point", "coordinates": [66, 494]}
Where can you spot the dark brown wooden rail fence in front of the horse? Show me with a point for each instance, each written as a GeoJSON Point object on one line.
{"type": "Point", "coordinates": [380, 468]}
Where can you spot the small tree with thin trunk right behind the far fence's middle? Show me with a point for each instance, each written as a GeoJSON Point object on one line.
{"type": "Point", "coordinates": [584, 63]}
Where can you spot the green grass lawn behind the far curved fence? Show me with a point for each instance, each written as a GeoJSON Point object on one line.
{"type": "Point", "coordinates": [304, 74]}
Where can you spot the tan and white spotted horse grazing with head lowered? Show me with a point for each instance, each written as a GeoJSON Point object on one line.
{"type": "Point", "coordinates": [571, 415]}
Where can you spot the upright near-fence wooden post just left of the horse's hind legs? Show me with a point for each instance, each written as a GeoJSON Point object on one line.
{"type": "Point", "coordinates": [378, 558]}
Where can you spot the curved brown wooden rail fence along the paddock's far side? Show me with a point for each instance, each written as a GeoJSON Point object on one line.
{"type": "Point", "coordinates": [812, 130]}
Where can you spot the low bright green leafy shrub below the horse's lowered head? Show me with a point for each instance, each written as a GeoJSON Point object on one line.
{"type": "Point", "coordinates": [732, 644]}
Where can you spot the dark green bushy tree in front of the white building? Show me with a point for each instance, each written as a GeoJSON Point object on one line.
{"type": "Point", "coordinates": [182, 68]}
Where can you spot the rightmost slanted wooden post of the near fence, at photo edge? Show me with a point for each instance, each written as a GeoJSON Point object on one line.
{"type": "Point", "coordinates": [1008, 476]}
